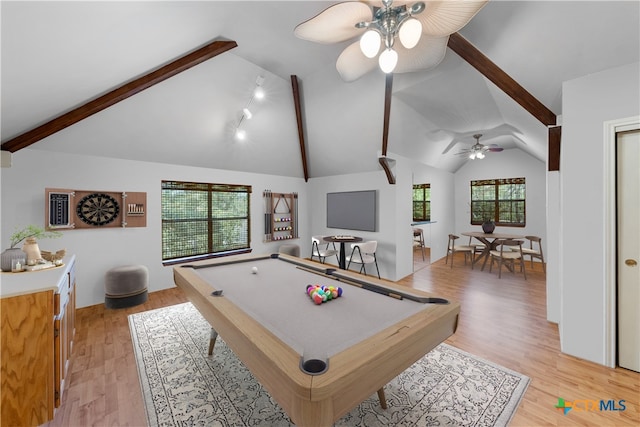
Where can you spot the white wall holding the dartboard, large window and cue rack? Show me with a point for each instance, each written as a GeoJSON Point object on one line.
{"type": "Point", "coordinates": [97, 250]}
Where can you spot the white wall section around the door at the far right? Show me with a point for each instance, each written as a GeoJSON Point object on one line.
{"type": "Point", "coordinates": [588, 102]}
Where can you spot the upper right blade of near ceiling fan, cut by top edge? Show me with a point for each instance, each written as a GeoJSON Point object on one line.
{"type": "Point", "coordinates": [442, 18]}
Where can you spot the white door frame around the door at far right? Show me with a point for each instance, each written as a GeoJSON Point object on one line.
{"type": "Point", "coordinates": [611, 128]}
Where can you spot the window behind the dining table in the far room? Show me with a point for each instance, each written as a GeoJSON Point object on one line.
{"type": "Point", "coordinates": [498, 200]}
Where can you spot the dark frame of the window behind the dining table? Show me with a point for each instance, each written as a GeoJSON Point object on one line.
{"type": "Point", "coordinates": [478, 216]}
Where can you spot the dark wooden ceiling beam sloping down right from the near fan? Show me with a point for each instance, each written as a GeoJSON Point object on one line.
{"type": "Point", "coordinates": [490, 70]}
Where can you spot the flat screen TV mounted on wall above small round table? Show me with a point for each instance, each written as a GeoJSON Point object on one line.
{"type": "Point", "coordinates": [352, 210]}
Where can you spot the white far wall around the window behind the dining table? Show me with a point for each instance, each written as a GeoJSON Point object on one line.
{"type": "Point", "coordinates": [512, 163]}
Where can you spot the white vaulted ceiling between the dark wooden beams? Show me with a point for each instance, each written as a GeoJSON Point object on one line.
{"type": "Point", "coordinates": [59, 55]}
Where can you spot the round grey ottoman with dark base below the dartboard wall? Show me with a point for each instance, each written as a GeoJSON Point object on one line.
{"type": "Point", "coordinates": [126, 286]}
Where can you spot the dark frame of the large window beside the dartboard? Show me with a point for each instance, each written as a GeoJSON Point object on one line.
{"type": "Point", "coordinates": [211, 189]}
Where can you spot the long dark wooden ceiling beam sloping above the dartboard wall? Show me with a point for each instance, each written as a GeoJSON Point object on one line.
{"type": "Point", "coordinates": [123, 92]}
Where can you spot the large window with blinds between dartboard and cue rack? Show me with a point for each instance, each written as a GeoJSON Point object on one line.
{"type": "Point", "coordinates": [199, 219]}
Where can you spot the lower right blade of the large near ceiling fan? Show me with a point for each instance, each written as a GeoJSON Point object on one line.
{"type": "Point", "coordinates": [428, 53]}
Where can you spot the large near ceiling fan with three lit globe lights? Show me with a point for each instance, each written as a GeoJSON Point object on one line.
{"type": "Point", "coordinates": [423, 28]}
